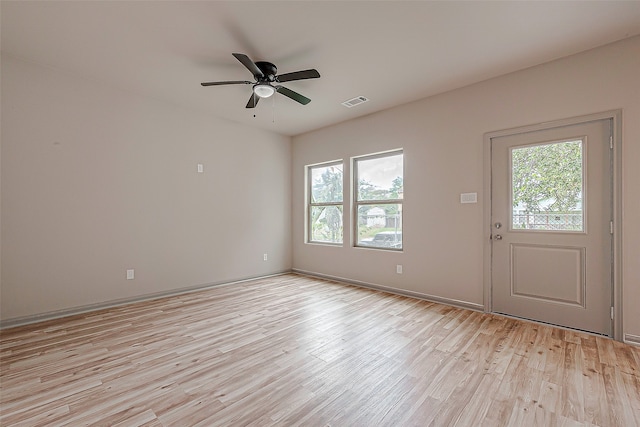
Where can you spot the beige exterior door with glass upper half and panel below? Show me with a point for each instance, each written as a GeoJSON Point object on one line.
{"type": "Point", "coordinates": [551, 225]}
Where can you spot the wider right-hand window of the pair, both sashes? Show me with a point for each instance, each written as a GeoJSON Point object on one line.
{"type": "Point", "coordinates": [378, 190]}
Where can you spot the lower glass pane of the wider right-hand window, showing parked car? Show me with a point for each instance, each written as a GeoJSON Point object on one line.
{"type": "Point", "coordinates": [380, 226]}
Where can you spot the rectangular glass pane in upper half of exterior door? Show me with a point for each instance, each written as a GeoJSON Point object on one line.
{"type": "Point", "coordinates": [547, 187]}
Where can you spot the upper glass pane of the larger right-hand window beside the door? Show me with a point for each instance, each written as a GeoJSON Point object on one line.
{"type": "Point", "coordinates": [380, 178]}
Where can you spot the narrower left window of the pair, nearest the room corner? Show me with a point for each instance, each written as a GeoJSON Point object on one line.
{"type": "Point", "coordinates": [324, 221]}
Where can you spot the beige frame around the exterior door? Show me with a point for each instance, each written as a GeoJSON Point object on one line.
{"type": "Point", "coordinates": [616, 117]}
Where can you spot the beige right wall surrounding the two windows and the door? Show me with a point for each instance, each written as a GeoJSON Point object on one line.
{"type": "Point", "coordinates": [442, 137]}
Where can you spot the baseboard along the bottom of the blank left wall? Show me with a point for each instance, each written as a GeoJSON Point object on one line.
{"type": "Point", "coordinates": [41, 317]}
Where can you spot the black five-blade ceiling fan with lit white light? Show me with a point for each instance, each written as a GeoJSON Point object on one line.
{"type": "Point", "coordinates": [266, 79]}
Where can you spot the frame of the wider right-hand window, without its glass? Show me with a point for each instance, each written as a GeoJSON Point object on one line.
{"type": "Point", "coordinates": [358, 203]}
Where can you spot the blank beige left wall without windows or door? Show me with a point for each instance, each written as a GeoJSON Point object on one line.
{"type": "Point", "coordinates": [96, 181]}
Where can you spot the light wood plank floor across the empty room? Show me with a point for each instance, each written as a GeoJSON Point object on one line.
{"type": "Point", "coordinates": [293, 350]}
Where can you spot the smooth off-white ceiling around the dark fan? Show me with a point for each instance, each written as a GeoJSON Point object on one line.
{"type": "Point", "coordinates": [391, 52]}
